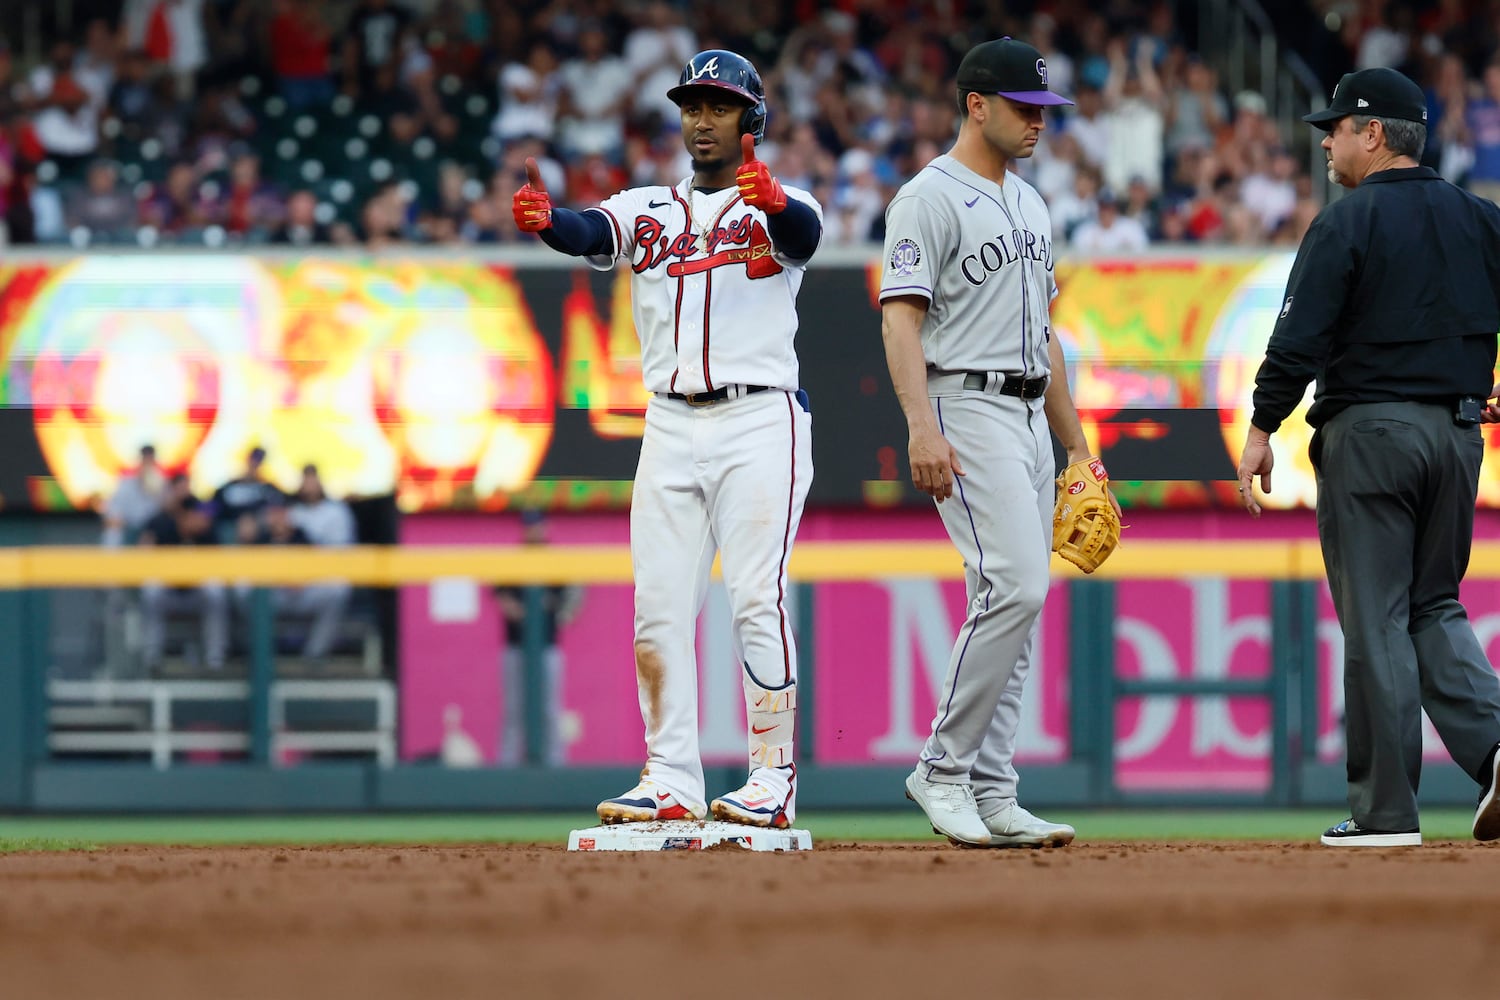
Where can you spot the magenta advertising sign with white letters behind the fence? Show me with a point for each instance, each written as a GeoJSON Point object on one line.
{"type": "Point", "coordinates": [881, 648]}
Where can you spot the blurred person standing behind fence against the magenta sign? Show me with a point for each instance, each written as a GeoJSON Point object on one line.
{"type": "Point", "coordinates": [559, 606]}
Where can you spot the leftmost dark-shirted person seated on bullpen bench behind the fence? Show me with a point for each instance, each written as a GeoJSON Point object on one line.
{"type": "Point", "coordinates": [184, 521]}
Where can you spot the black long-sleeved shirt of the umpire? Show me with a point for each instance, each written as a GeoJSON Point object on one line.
{"type": "Point", "coordinates": [1393, 298]}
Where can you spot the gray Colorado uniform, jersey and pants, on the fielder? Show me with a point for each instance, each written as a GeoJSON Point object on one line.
{"type": "Point", "coordinates": [982, 256]}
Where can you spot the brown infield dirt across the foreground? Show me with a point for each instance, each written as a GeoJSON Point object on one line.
{"type": "Point", "coordinates": [1111, 921]}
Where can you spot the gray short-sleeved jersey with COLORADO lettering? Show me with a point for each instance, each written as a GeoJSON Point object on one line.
{"type": "Point", "coordinates": [982, 256]}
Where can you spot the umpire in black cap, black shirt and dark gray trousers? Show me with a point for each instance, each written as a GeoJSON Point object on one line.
{"type": "Point", "coordinates": [1393, 307]}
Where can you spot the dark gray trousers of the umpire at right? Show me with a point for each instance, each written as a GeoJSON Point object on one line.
{"type": "Point", "coordinates": [1396, 515]}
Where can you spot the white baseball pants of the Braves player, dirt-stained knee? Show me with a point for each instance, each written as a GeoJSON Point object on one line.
{"type": "Point", "coordinates": [725, 479]}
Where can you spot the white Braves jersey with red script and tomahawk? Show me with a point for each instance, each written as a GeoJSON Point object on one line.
{"type": "Point", "coordinates": [713, 304]}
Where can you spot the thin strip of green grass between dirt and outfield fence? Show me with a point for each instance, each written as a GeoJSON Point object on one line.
{"type": "Point", "coordinates": [85, 833]}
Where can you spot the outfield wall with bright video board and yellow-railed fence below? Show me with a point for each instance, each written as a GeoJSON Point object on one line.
{"type": "Point", "coordinates": [472, 427]}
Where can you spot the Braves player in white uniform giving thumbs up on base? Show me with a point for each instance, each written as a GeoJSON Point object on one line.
{"type": "Point", "coordinates": [727, 457]}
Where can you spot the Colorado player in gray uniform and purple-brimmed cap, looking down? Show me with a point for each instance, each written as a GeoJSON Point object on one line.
{"type": "Point", "coordinates": [965, 299]}
